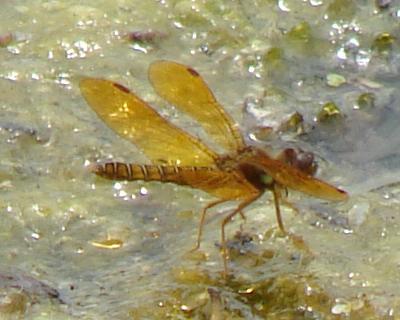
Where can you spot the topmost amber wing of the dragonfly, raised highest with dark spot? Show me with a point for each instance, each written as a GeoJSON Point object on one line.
{"type": "Point", "coordinates": [184, 88]}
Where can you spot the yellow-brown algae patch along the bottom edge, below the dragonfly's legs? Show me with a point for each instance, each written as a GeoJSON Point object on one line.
{"type": "Point", "coordinates": [288, 296]}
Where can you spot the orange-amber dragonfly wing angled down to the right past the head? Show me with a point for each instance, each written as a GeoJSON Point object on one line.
{"type": "Point", "coordinates": [297, 180]}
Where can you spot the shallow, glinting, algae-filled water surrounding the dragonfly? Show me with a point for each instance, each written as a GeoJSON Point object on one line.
{"type": "Point", "coordinates": [54, 211]}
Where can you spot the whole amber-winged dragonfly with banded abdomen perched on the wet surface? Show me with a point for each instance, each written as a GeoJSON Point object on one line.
{"type": "Point", "coordinates": [243, 173]}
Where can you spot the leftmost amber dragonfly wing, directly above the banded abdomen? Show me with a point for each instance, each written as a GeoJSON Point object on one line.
{"type": "Point", "coordinates": [136, 121]}
